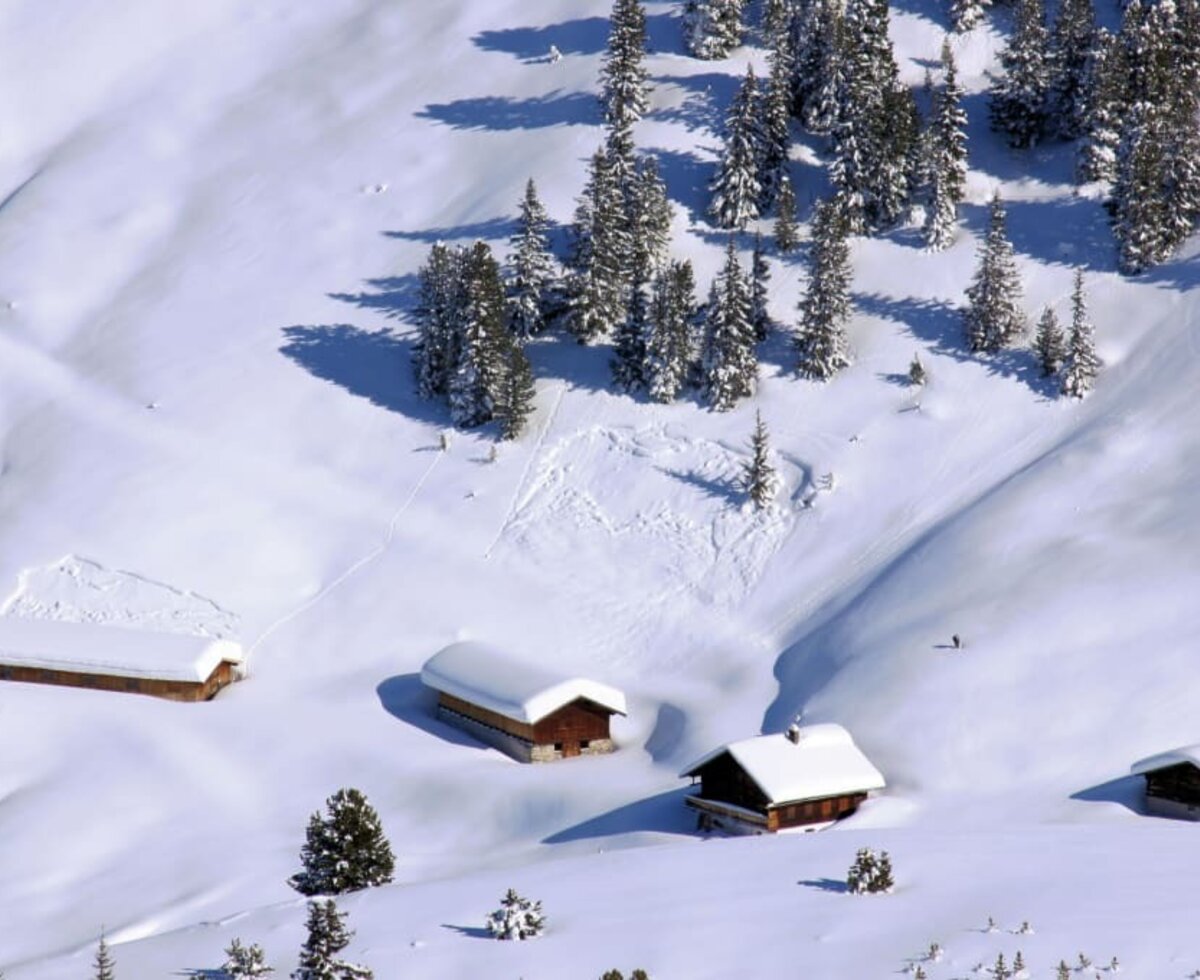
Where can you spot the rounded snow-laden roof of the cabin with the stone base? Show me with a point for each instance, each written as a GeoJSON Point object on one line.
{"type": "Point", "coordinates": [521, 692]}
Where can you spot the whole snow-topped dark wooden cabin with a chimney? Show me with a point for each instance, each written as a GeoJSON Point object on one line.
{"type": "Point", "coordinates": [802, 778]}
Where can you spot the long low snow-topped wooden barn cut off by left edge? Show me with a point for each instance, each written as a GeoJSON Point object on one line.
{"type": "Point", "coordinates": [113, 659]}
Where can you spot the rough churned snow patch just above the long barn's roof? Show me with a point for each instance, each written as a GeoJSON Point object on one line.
{"type": "Point", "coordinates": [77, 591]}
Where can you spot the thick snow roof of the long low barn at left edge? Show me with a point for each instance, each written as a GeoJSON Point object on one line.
{"type": "Point", "coordinates": [91, 648]}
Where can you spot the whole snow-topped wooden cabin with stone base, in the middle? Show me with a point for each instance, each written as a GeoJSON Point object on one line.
{"type": "Point", "coordinates": [526, 712]}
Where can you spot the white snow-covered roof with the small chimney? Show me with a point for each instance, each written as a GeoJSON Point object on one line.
{"type": "Point", "coordinates": [823, 762]}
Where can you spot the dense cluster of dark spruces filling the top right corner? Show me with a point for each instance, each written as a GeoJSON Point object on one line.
{"type": "Point", "coordinates": [1131, 99]}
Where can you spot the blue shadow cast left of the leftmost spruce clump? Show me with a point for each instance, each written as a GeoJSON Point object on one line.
{"type": "Point", "coordinates": [370, 364]}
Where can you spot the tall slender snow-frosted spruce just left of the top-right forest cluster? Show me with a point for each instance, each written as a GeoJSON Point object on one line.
{"type": "Point", "coordinates": [947, 166]}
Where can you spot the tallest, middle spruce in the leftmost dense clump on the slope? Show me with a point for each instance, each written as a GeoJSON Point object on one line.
{"type": "Point", "coordinates": [479, 371]}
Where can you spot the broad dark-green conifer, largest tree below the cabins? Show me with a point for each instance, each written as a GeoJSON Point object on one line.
{"type": "Point", "coordinates": [345, 850]}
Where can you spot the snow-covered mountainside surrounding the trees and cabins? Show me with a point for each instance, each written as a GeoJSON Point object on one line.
{"type": "Point", "coordinates": [212, 223]}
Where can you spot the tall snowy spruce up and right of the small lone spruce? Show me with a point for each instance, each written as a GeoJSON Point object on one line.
{"type": "Point", "coordinates": [826, 308]}
